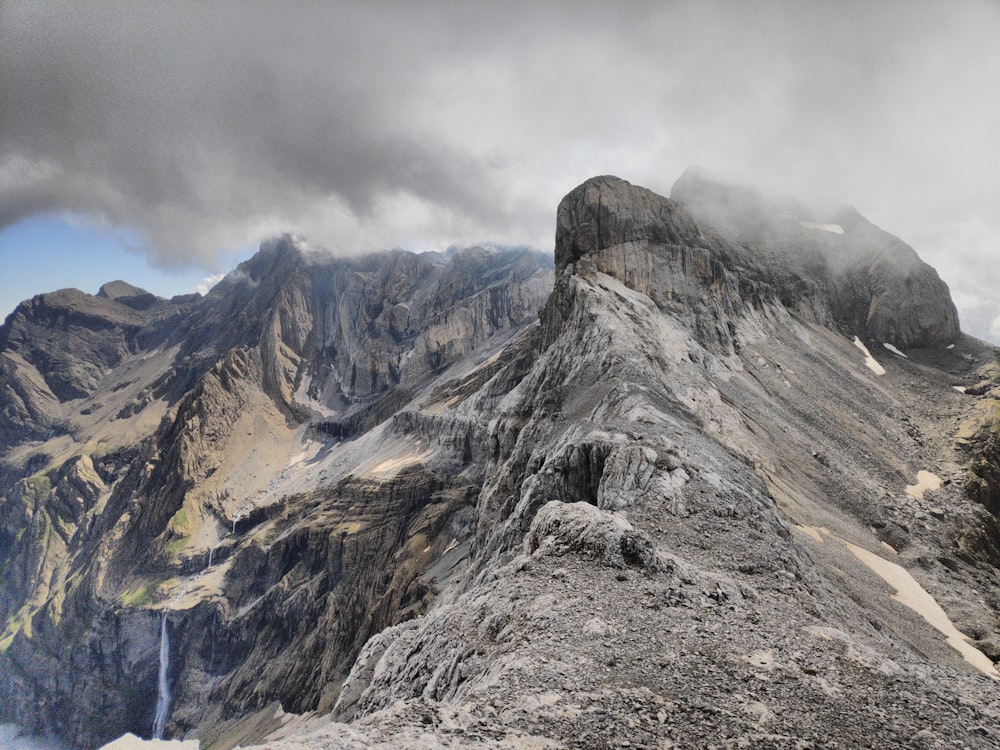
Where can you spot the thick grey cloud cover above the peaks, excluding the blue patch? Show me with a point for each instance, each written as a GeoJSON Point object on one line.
{"type": "Point", "coordinates": [200, 128]}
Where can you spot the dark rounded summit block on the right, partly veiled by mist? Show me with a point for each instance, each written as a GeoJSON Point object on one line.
{"type": "Point", "coordinates": [721, 247]}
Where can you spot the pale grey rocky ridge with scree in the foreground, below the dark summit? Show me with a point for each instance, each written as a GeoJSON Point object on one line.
{"type": "Point", "coordinates": [701, 602]}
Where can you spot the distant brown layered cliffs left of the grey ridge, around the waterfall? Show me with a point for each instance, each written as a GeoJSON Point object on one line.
{"type": "Point", "coordinates": [202, 467]}
